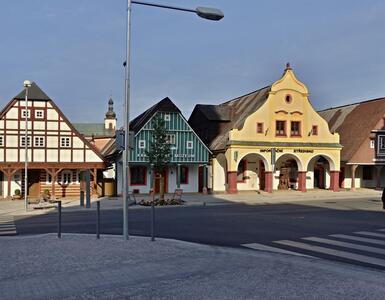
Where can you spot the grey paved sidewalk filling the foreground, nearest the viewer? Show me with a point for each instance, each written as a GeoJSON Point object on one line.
{"type": "Point", "coordinates": [81, 267]}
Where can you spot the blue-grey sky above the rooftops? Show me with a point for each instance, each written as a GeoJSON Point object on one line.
{"type": "Point", "coordinates": [74, 50]}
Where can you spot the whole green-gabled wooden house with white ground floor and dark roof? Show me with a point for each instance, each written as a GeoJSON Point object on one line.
{"type": "Point", "coordinates": [189, 155]}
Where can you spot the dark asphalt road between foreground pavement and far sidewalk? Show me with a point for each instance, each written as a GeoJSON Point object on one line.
{"type": "Point", "coordinates": [231, 225]}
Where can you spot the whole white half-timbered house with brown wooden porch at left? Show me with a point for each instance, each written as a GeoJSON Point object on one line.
{"type": "Point", "coordinates": [57, 152]}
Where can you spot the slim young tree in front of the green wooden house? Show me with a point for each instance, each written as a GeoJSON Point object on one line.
{"type": "Point", "coordinates": [159, 153]}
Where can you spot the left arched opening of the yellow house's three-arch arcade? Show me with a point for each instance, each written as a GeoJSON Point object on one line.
{"type": "Point", "coordinates": [251, 173]}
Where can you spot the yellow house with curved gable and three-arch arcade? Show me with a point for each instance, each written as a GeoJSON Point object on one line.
{"type": "Point", "coordinates": [269, 139]}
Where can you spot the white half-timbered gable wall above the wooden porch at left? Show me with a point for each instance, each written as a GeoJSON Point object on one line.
{"type": "Point", "coordinates": [52, 138]}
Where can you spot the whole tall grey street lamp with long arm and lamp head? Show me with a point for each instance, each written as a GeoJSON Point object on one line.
{"type": "Point", "coordinates": [203, 12]}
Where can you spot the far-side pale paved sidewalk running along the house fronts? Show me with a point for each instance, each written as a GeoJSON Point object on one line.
{"type": "Point", "coordinates": [312, 197]}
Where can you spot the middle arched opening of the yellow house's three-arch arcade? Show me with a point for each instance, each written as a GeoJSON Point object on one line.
{"type": "Point", "coordinates": [286, 172]}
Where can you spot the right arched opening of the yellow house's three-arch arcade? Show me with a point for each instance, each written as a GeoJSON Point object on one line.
{"type": "Point", "coordinates": [318, 171]}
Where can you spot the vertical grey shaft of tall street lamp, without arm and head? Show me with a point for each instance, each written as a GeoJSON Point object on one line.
{"type": "Point", "coordinates": [126, 152]}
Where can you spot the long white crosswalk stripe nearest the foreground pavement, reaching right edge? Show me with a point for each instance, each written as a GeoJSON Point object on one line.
{"type": "Point", "coordinates": [332, 252]}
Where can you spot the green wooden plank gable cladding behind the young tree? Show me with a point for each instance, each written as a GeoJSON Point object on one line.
{"type": "Point", "coordinates": [186, 147]}
